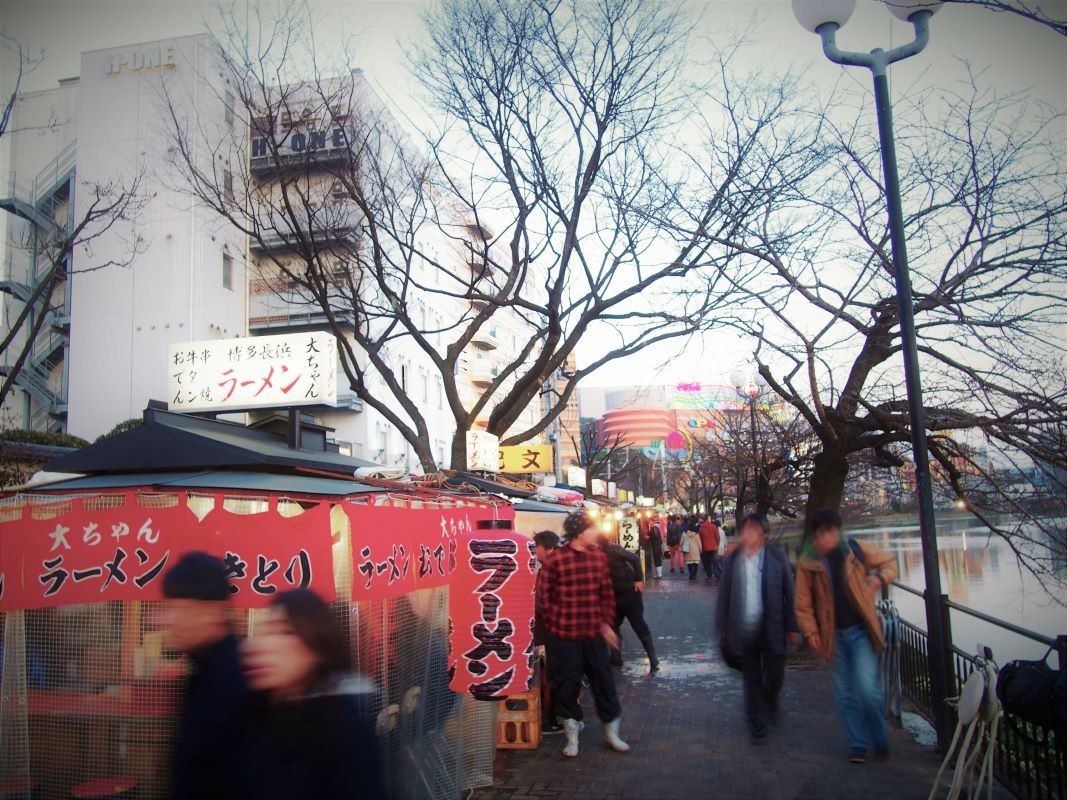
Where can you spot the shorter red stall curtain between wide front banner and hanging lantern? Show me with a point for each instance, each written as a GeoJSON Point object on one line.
{"type": "Point", "coordinates": [396, 551]}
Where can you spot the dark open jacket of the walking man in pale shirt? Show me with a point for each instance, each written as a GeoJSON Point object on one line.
{"type": "Point", "coordinates": [779, 616]}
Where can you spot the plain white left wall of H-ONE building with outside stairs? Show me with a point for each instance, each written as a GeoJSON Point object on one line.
{"type": "Point", "coordinates": [104, 356]}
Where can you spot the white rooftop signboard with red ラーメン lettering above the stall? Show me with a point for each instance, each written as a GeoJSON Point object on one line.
{"type": "Point", "coordinates": [253, 373]}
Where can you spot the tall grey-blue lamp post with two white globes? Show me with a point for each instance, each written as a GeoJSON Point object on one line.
{"type": "Point", "coordinates": [825, 18]}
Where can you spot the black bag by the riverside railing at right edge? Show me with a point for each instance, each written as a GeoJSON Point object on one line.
{"type": "Point", "coordinates": [1034, 693]}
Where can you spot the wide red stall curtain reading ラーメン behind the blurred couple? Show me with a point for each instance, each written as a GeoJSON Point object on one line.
{"type": "Point", "coordinates": [122, 554]}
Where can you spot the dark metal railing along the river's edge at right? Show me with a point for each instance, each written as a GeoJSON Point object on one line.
{"type": "Point", "coordinates": [1031, 761]}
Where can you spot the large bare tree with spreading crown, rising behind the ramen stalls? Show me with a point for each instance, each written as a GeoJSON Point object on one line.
{"type": "Point", "coordinates": [535, 204]}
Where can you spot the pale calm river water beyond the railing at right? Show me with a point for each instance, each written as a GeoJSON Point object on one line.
{"type": "Point", "coordinates": [979, 571]}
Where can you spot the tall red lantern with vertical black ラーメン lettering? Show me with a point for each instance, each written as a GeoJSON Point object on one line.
{"type": "Point", "coordinates": [491, 606]}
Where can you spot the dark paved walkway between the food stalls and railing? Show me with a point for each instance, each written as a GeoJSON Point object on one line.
{"type": "Point", "coordinates": [689, 738]}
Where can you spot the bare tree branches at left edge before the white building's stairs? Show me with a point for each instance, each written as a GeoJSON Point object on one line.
{"type": "Point", "coordinates": [55, 235]}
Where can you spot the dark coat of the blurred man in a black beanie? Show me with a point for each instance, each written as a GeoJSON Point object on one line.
{"type": "Point", "coordinates": [211, 730]}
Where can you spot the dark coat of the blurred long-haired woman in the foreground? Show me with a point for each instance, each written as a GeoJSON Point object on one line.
{"type": "Point", "coordinates": [321, 748]}
